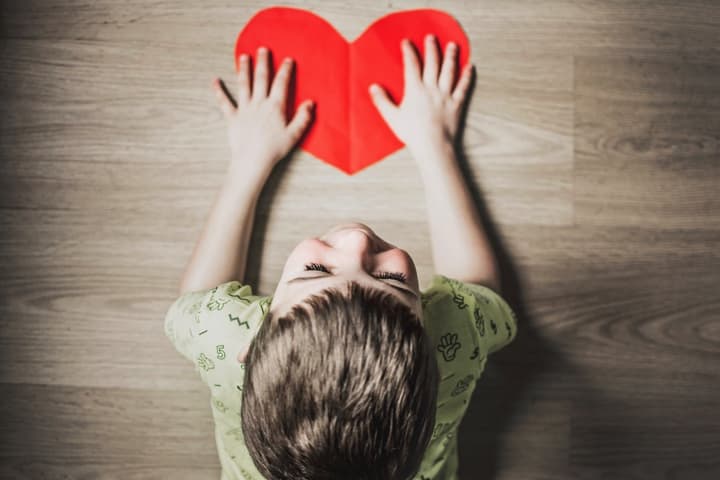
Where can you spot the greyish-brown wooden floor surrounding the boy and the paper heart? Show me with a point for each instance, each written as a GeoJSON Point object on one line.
{"type": "Point", "coordinates": [593, 147]}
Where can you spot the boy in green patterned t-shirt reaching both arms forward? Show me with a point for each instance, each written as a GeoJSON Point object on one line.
{"type": "Point", "coordinates": [319, 381]}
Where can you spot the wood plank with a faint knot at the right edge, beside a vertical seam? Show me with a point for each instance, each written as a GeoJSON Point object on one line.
{"type": "Point", "coordinates": [647, 144]}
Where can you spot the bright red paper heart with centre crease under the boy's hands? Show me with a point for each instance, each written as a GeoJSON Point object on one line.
{"type": "Point", "coordinates": [347, 131]}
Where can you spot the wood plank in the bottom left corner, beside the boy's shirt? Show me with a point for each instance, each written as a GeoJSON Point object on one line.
{"type": "Point", "coordinates": [107, 433]}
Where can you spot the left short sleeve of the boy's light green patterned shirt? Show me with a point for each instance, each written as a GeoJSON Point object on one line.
{"type": "Point", "coordinates": [210, 325]}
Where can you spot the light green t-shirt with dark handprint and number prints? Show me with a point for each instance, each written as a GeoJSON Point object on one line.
{"type": "Point", "coordinates": [465, 322]}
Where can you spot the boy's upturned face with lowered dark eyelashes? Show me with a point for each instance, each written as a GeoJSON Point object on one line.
{"type": "Point", "coordinates": [349, 252]}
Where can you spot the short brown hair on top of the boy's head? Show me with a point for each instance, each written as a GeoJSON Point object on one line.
{"type": "Point", "coordinates": [341, 387]}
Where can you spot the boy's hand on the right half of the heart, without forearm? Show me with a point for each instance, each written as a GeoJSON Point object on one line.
{"type": "Point", "coordinates": [430, 110]}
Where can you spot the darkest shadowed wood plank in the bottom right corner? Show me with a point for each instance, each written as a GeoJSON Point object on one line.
{"type": "Point", "coordinates": [670, 429]}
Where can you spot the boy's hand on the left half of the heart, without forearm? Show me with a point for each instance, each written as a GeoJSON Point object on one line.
{"type": "Point", "coordinates": [257, 130]}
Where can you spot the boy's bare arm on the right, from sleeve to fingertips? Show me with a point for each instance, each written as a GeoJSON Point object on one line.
{"type": "Point", "coordinates": [427, 122]}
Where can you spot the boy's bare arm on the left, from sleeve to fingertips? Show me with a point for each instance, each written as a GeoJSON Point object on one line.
{"type": "Point", "coordinates": [259, 138]}
